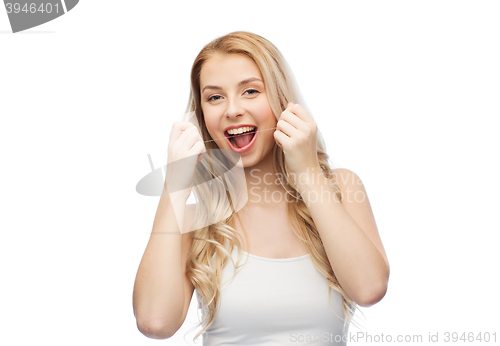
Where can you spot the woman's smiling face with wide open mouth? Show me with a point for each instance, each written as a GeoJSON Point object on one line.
{"type": "Point", "coordinates": [233, 96]}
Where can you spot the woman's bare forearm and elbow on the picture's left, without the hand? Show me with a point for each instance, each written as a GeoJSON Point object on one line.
{"type": "Point", "coordinates": [162, 291]}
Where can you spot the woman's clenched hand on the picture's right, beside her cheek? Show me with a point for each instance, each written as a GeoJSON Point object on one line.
{"type": "Point", "coordinates": [296, 135]}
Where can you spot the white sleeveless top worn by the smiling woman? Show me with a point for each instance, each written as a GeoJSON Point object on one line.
{"type": "Point", "coordinates": [274, 302]}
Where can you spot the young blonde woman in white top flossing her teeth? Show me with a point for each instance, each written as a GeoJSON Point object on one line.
{"type": "Point", "coordinates": [307, 233]}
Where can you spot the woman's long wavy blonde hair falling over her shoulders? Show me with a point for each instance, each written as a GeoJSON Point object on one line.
{"type": "Point", "coordinates": [209, 254]}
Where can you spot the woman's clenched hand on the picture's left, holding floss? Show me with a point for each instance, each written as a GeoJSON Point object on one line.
{"type": "Point", "coordinates": [185, 149]}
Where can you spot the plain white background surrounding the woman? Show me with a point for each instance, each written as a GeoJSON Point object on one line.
{"type": "Point", "coordinates": [406, 94]}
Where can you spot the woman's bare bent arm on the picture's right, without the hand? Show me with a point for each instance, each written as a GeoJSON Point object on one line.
{"type": "Point", "coordinates": [349, 234]}
